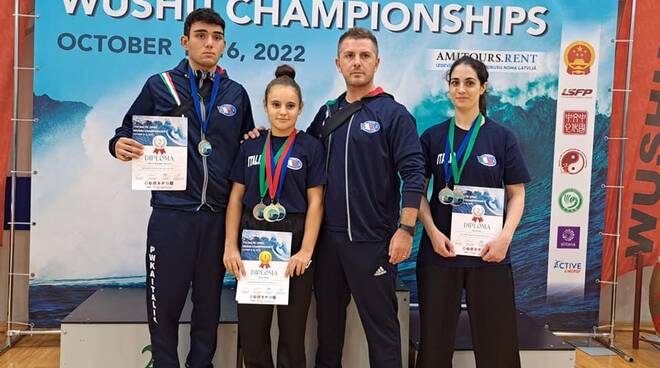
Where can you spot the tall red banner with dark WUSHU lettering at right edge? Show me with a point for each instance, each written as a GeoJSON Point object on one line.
{"type": "Point", "coordinates": [640, 208]}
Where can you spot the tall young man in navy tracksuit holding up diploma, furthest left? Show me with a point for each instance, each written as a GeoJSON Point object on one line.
{"type": "Point", "coordinates": [185, 235]}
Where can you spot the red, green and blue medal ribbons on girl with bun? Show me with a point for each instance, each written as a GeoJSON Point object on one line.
{"type": "Point", "coordinates": [269, 180]}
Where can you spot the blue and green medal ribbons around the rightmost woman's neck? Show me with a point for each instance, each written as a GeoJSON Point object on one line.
{"type": "Point", "coordinates": [463, 151]}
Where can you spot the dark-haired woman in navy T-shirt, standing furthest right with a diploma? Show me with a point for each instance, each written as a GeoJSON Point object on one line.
{"type": "Point", "coordinates": [495, 161]}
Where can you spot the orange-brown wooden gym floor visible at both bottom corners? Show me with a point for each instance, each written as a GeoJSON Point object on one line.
{"type": "Point", "coordinates": [44, 352]}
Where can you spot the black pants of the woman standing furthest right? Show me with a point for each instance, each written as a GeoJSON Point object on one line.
{"type": "Point", "coordinates": [491, 307]}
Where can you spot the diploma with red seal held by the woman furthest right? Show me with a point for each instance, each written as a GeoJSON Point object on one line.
{"type": "Point", "coordinates": [477, 220]}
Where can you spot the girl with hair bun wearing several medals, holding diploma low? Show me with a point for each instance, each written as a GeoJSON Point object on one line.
{"type": "Point", "coordinates": [302, 196]}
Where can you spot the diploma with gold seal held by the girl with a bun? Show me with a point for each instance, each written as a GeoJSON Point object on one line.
{"type": "Point", "coordinates": [265, 255]}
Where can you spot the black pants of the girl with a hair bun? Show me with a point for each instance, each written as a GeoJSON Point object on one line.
{"type": "Point", "coordinates": [254, 321]}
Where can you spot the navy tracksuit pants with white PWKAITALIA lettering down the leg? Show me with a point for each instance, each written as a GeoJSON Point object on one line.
{"type": "Point", "coordinates": [184, 249]}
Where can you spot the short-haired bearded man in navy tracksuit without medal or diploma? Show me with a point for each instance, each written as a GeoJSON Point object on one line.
{"type": "Point", "coordinates": [359, 244]}
